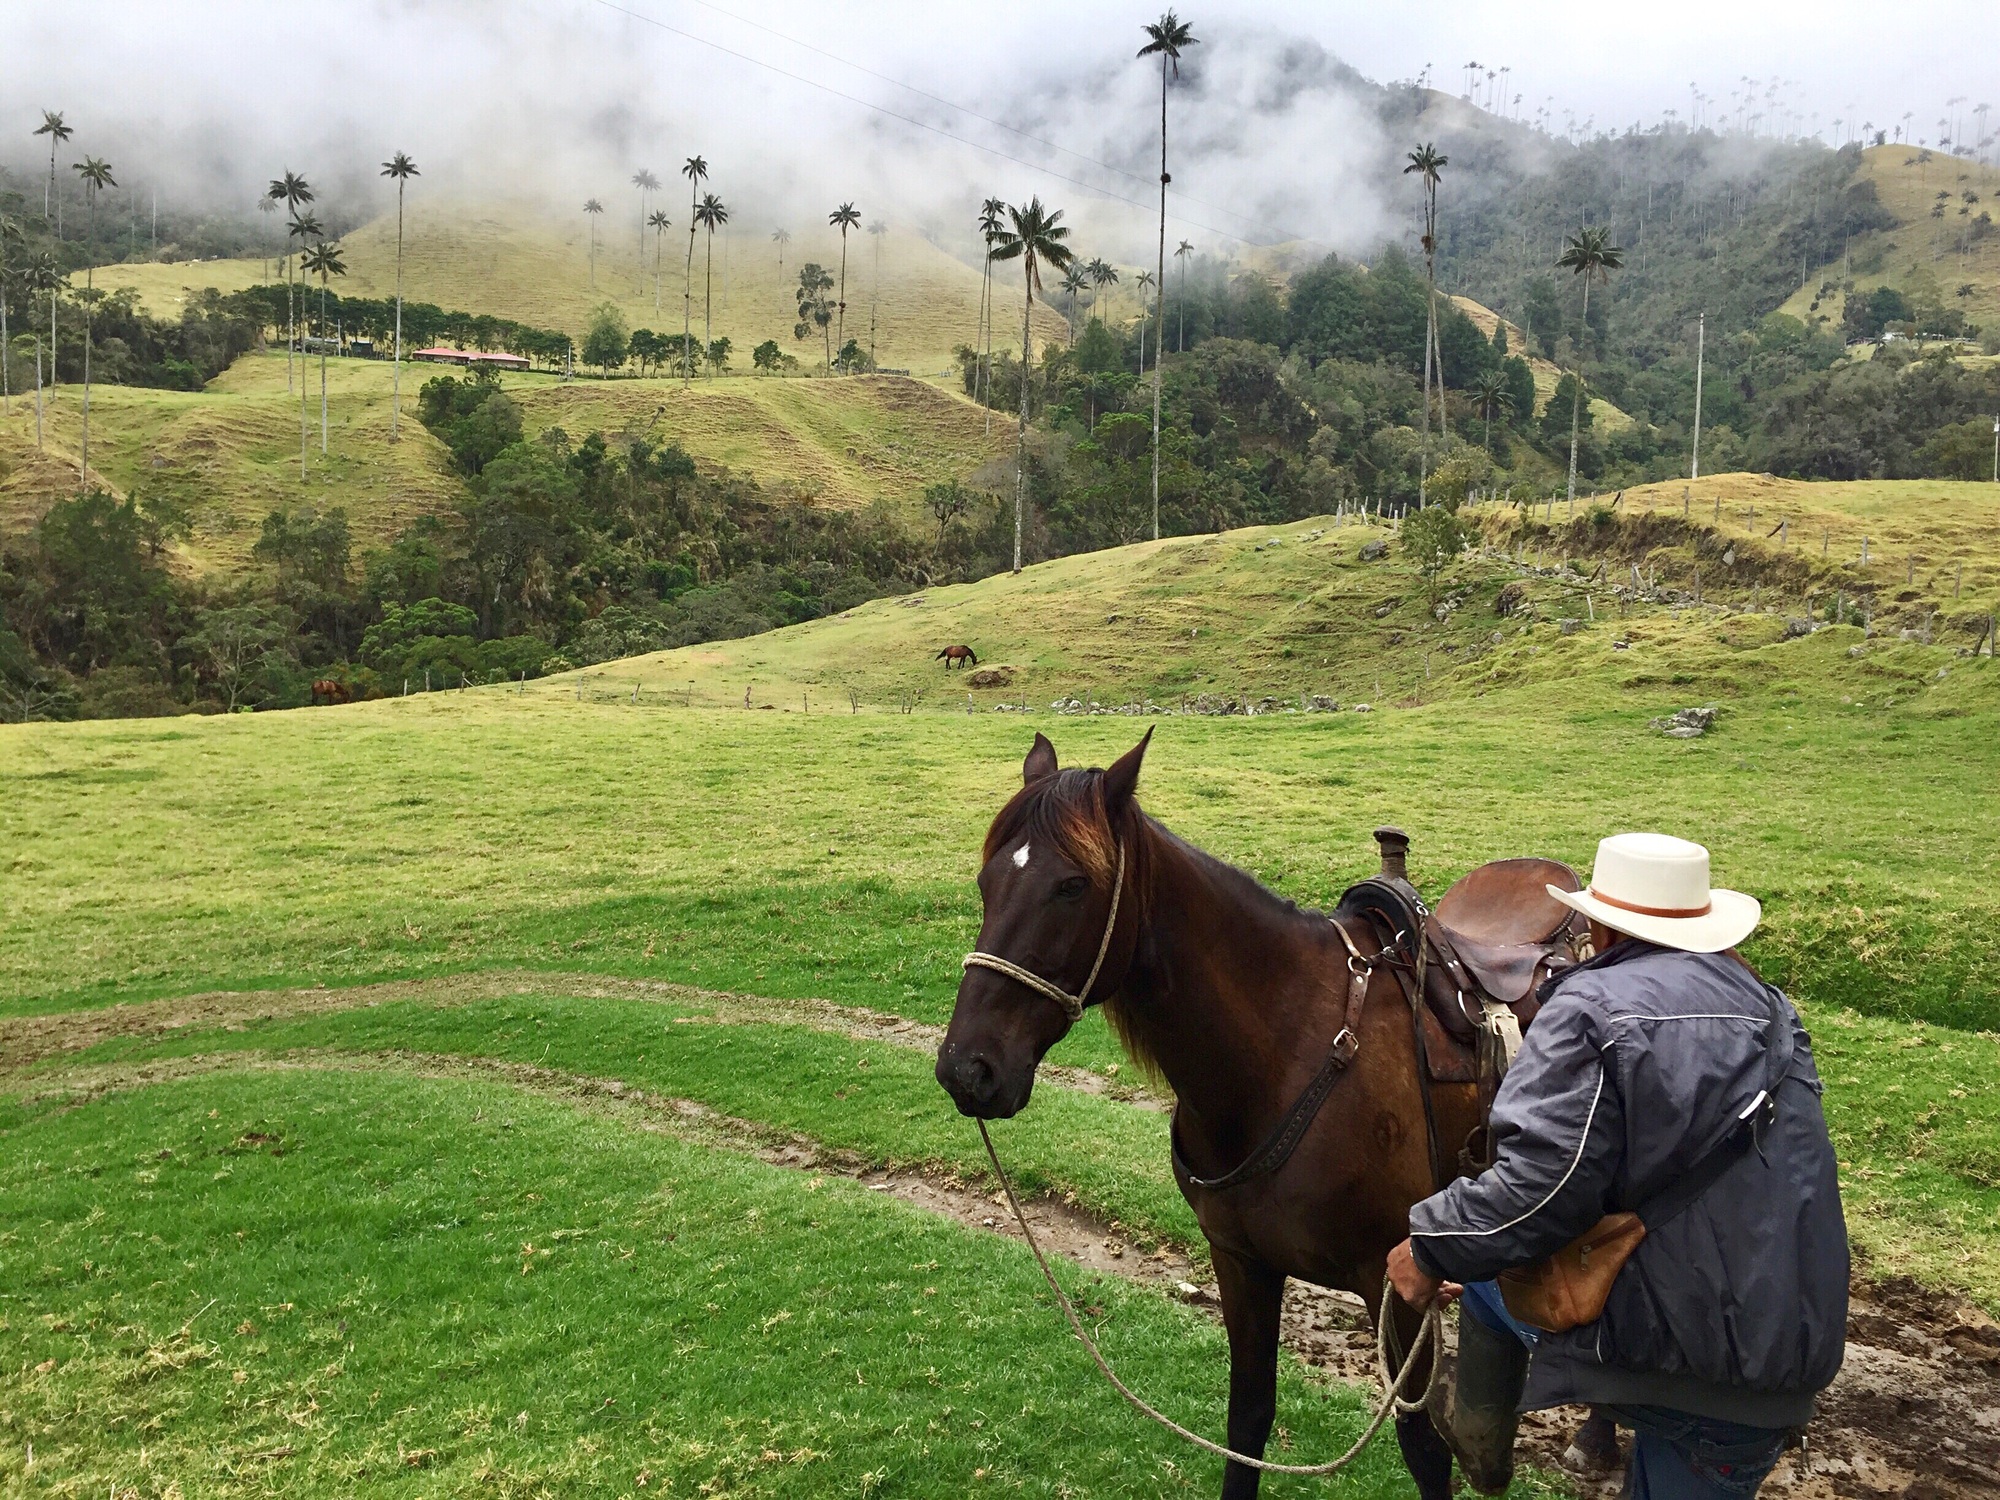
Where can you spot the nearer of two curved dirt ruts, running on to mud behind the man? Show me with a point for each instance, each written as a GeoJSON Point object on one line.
{"type": "Point", "coordinates": [1913, 1417]}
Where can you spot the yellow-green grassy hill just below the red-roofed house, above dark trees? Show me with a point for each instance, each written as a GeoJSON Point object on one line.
{"type": "Point", "coordinates": [231, 453]}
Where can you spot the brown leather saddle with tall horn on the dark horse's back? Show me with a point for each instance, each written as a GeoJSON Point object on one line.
{"type": "Point", "coordinates": [1477, 959]}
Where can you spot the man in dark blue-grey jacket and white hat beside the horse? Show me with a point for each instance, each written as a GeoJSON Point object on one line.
{"type": "Point", "coordinates": [1663, 1061]}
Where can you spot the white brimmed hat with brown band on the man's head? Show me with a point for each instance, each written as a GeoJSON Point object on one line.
{"type": "Point", "coordinates": [1655, 887]}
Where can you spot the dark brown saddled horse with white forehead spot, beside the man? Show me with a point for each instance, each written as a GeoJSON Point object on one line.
{"type": "Point", "coordinates": [1237, 997]}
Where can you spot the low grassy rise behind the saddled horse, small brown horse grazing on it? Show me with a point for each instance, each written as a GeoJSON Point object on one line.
{"type": "Point", "coordinates": [1289, 611]}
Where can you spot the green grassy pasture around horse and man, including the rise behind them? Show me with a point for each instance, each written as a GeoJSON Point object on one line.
{"type": "Point", "coordinates": [327, 1233]}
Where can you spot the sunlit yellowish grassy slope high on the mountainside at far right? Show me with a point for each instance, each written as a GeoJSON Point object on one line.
{"type": "Point", "coordinates": [1919, 253]}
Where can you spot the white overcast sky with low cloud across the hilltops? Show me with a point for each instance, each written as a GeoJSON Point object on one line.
{"type": "Point", "coordinates": [563, 99]}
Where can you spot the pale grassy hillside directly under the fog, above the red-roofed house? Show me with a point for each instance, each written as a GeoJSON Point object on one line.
{"type": "Point", "coordinates": [517, 263]}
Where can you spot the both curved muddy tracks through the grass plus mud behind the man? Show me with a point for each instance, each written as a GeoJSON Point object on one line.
{"type": "Point", "coordinates": [1915, 1413]}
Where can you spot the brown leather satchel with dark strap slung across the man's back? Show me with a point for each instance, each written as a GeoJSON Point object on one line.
{"type": "Point", "coordinates": [1571, 1287]}
